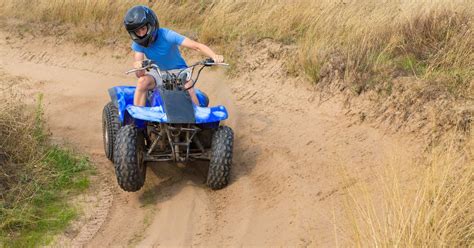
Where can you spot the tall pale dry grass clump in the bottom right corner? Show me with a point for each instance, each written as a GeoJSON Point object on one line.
{"type": "Point", "coordinates": [435, 209]}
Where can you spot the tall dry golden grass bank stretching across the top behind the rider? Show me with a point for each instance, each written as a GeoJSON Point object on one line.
{"type": "Point", "coordinates": [432, 40]}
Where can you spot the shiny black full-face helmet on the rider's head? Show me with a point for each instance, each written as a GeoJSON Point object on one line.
{"type": "Point", "coordinates": [138, 17]}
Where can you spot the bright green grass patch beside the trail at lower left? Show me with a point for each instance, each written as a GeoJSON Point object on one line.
{"type": "Point", "coordinates": [41, 210]}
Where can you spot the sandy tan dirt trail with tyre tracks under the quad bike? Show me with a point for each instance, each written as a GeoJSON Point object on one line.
{"type": "Point", "coordinates": [285, 189]}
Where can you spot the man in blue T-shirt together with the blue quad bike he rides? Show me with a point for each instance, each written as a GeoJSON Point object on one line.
{"type": "Point", "coordinates": [164, 118]}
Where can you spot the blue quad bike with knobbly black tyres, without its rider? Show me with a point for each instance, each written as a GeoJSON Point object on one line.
{"type": "Point", "coordinates": [169, 128]}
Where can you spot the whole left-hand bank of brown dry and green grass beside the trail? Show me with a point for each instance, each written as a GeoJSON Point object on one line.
{"type": "Point", "coordinates": [36, 178]}
